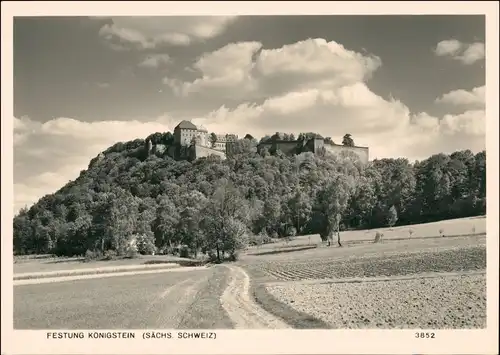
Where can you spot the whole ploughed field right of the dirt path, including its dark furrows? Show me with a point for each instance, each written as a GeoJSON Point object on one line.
{"type": "Point", "coordinates": [426, 283]}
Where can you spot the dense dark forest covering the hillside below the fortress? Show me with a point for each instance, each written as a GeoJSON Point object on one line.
{"type": "Point", "coordinates": [216, 207]}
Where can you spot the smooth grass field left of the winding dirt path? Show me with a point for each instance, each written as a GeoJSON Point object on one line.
{"type": "Point", "coordinates": [185, 300]}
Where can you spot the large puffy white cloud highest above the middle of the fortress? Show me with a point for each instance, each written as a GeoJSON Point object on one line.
{"type": "Point", "coordinates": [243, 70]}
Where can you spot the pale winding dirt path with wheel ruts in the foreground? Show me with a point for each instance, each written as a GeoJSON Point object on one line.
{"type": "Point", "coordinates": [241, 308]}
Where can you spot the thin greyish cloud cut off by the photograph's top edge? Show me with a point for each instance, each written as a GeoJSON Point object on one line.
{"type": "Point", "coordinates": [147, 32]}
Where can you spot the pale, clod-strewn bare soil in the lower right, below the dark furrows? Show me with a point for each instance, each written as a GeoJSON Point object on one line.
{"type": "Point", "coordinates": [434, 302]}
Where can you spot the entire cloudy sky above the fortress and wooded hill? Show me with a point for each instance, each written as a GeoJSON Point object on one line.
{"type": "Point", "coordinates": [405, 86]}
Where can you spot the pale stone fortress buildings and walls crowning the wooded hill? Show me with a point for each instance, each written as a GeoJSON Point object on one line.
{"type": "Point", "coordinates": [191, 142]}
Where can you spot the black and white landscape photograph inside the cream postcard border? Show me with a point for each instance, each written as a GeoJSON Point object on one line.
{"type": "Point", "coordinates": [249, 172]}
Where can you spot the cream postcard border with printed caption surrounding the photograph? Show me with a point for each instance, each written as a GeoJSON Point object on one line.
{"type": "Point", "coordinates": [248, 341]}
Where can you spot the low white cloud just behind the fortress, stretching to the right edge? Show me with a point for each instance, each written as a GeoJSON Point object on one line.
{"type": "Point", "coordinates": [387, 127]}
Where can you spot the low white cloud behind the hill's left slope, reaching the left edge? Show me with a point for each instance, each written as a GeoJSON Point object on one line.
{"type": "Point", "coordinates": [48, 155]}
